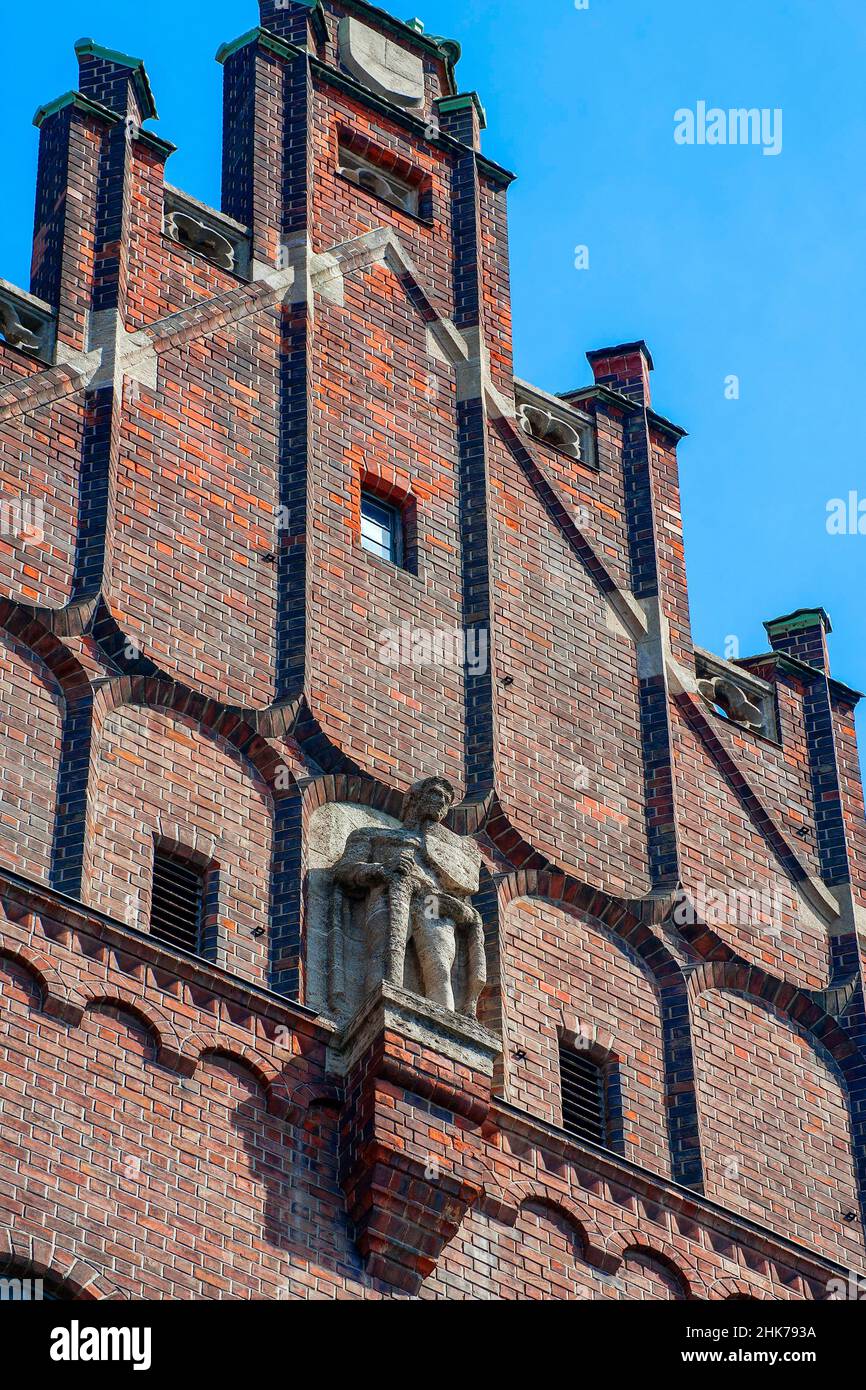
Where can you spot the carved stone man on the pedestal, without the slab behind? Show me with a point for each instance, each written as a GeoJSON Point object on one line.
{"type": "Point", "coordinates": [414, 882]}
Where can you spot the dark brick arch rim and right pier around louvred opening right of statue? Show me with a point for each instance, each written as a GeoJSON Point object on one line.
{"type": "Point", "coordinates": [660, 968]}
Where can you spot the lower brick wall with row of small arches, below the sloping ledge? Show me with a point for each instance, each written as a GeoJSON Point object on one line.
{"type": "Point", "coordinates": [177, 1142]}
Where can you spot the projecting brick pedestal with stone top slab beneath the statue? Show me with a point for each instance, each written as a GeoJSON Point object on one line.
{"type": "Point", "coordinates": [418, 1090]}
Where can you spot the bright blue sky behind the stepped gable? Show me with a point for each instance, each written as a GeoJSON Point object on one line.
{"type": "Point", "coordinates": [728, 262]}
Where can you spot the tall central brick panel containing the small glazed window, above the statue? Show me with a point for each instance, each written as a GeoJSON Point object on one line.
{"type": "Point", "coordinates": [375, 414]}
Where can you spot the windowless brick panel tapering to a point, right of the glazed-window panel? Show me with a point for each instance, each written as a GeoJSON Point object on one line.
{"type": "Point", "coordinates": [568, 754]}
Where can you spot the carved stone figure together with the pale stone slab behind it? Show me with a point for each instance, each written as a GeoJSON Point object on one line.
{"type": "Point", "coordinates": [394, 907]}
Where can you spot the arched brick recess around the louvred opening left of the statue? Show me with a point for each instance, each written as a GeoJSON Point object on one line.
{"type": "Point", "coordinates": [165, 761]}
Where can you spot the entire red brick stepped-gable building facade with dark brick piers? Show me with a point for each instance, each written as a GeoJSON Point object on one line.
{"type": "Point", "coordinates": [208, 672]}
